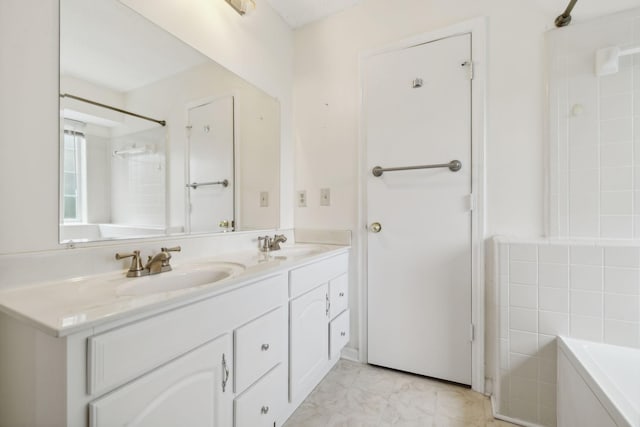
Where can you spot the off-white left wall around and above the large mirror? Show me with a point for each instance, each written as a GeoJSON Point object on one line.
{"type": "Point", "coordinates": [257, 47]}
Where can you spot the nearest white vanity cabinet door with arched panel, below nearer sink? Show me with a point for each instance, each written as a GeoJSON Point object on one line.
{"type": "Point", "coordinates": [193, 390]}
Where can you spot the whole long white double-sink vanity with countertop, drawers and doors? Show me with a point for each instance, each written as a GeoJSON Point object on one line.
{"type": "Point", "coordinates": [245, 350]}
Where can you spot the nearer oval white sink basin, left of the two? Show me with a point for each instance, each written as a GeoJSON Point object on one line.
{"type": "Point", "coordinates": [182, 277]}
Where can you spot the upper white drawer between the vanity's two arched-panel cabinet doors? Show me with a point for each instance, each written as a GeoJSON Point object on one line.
{"type": "Point", "coordinates": [259, 346]}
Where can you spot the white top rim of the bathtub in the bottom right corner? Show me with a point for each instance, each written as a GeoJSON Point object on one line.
{"type": "Point", "coordinates": [608, 394]}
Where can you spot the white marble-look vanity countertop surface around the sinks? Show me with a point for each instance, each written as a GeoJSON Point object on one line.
{"type": "Point", "coordinates": [64, 307]}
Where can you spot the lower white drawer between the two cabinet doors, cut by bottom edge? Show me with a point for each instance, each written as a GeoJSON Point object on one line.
{"type": "Point", "coordinates": [261, 405]}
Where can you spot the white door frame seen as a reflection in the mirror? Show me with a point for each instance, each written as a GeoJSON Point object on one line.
{"type": "Point", "coordinates": [188, 106]}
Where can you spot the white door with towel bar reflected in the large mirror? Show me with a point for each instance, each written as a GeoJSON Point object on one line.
{"type": "Point", "coordinates": [211, 177]}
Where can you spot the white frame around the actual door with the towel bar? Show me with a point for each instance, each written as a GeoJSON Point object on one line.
{"type": "Point", "coordinates": [477, 27]}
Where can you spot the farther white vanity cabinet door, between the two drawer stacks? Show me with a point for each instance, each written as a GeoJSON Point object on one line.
{"type": "Point", "coordinates": [309, 334]}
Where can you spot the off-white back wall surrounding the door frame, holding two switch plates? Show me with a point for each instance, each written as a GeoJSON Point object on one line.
{"type": "Point", "coordinates": [326, 93]}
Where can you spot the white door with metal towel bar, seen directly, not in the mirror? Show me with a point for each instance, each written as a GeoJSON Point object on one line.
{"type": "Point", "coordinates": [417, 105]}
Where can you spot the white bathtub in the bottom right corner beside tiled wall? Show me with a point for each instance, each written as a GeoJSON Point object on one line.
{"type": "Point", "coordinates": [598, 384]}
